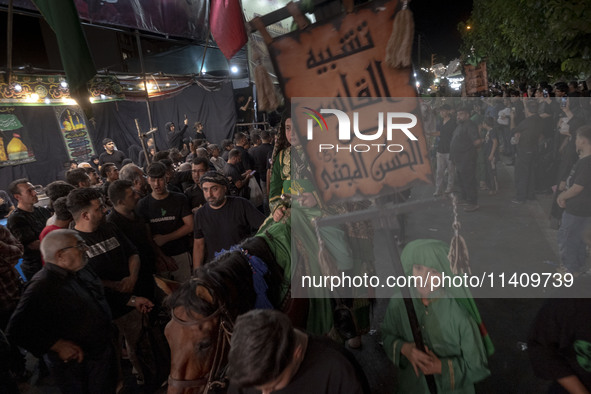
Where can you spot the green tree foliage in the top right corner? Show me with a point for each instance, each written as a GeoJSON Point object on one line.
{"type": "Point", "coordinates": [530, 39]}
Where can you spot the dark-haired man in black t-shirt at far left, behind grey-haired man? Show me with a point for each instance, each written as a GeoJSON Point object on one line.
{"type": "Point", "coordinates": [26, 223]}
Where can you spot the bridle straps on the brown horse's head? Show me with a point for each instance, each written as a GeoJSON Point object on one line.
{"type": "Point", "coordinates": [216, 378]}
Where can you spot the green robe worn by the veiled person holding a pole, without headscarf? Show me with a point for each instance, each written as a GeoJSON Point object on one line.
{"type": "Point", "coordinates": [449, 332]}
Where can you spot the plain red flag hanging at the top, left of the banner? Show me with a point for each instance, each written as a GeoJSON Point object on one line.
{"type": "Point", "coordinates": [227, 26]}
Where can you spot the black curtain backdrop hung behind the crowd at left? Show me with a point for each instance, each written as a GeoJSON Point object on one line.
{"type": "Point", "coordinates": [116, 120]}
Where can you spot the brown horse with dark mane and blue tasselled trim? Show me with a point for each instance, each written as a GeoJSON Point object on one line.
{"type": "Point", "coordinates": [203, 311]}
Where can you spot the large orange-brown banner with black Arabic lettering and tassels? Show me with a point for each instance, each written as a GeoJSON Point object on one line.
{"type": "Point", "coordinates": [339, 66]}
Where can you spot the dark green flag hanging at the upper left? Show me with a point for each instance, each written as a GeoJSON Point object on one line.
{"type": "Point", "coordinates": [62, 17]}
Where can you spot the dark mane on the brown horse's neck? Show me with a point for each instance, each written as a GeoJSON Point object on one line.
{"type": "Point", "coordinates": [229, 280]}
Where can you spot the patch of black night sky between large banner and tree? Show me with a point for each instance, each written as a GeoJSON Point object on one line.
{"type": "Point", "coordinates": [436, 22]}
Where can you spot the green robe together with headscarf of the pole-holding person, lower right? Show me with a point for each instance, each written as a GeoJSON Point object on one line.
{"type": "Point", "coordinates": [449, 324]}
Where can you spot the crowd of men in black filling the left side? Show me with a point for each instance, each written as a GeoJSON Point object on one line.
{"type": "Point", "coordinates": [165, 218]}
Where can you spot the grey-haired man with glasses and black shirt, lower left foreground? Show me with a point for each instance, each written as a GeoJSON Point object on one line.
{"type": "Point", "coordinates": [63, 316]}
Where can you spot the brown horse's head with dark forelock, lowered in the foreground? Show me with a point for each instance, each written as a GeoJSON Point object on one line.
{"type": "Point", "coordinates": [203, 311]}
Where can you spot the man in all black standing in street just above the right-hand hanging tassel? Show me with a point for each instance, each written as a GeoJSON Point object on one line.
{"type": "Point", "coordinates": [463, 154]}
